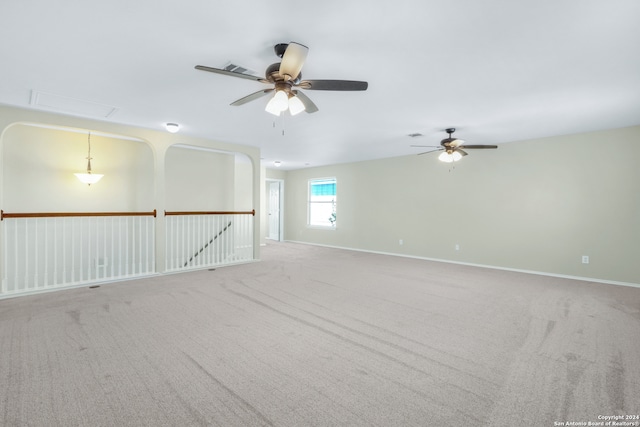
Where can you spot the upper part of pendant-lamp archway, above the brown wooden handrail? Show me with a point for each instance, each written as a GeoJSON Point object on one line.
{"type": "Point", "coordinates": [39, 162]}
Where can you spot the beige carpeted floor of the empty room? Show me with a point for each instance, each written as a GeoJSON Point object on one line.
{"type": "Point", "coordinates": [314, 336]}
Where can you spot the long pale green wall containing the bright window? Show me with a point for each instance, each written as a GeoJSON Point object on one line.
{"type": "Point", "coordinates": [535, 205]}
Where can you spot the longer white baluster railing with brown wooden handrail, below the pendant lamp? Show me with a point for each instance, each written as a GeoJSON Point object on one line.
{"type": "Point", "coordinates": [50, 251]}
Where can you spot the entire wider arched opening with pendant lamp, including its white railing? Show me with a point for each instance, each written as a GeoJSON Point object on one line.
{"type": "Point", "coordinates": [58, 231]}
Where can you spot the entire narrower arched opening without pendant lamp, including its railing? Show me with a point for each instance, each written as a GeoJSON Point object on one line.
{"type": "Point", "coordinates": [209, 216]}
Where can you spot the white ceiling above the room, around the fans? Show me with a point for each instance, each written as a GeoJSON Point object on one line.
{"type": "Point", "coordinates": [498, 70]}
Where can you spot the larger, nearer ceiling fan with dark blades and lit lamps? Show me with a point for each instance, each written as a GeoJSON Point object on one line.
{"type": "Point", "coordinates": [287, 81]}
